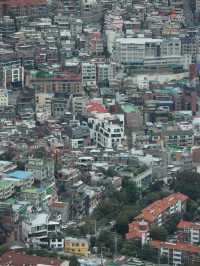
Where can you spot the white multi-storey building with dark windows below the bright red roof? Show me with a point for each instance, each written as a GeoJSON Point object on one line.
{"type": "Point", "coordinates": [107, 130]}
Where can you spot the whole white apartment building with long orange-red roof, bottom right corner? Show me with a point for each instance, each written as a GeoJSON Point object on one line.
{"type": "Point", "coordinates": [178, 253]}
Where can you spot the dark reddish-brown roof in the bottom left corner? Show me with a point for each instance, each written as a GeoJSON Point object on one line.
{"type": "Point", "coordinates": [17, 258]}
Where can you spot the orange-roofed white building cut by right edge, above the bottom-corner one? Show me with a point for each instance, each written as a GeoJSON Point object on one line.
{"type": "Point", "coordinates": [190, 230]}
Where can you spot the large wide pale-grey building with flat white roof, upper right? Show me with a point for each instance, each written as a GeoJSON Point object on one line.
{"type": "Point", "coordinates": [148, 51]}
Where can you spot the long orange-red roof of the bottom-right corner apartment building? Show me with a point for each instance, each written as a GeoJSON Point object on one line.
{"type": "Point", "coordinates": [175, 246]}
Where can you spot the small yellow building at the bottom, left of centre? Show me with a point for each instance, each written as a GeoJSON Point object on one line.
{"type": "Point", "coordinates": [77, 246]}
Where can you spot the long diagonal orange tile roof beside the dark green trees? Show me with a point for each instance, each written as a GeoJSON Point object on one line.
{"type": "Point", "coordinates": [151, 212]}
